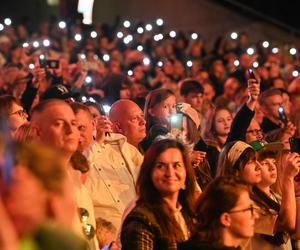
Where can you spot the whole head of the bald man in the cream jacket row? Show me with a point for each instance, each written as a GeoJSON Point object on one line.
{"type": "Point", "coordinates": [128, 119]}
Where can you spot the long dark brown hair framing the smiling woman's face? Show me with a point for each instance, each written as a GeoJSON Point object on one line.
{"type": "Point", "coordinates": [150, 197]}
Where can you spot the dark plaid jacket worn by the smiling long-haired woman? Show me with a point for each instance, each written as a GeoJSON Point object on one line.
{"type": "Point", "coordinates": [141, 231]}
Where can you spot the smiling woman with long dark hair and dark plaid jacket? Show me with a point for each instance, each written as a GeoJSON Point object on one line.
{"type": "Point", "coordinates": [166, 184]}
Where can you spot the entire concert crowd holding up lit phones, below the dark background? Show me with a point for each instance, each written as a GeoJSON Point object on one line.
{"type": "Point", "coordinates": [130, 136]}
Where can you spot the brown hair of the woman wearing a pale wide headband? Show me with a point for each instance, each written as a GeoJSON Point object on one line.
{"type": "Point", "coordinates": [228, 167]}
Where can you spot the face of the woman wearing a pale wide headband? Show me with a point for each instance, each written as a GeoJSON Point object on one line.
{"type": "Point", "coordinates": [251, 172]}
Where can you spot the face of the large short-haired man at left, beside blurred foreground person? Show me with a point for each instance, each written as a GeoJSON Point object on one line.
{"type": "Point", "coordinates": [58, 127]}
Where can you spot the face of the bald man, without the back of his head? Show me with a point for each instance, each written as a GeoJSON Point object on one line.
{"type": "Point", "coordinates": [133, 124]}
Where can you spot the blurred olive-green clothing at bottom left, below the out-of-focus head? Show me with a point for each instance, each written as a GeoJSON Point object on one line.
{"type": "Point", "coordinates": [52, 237]}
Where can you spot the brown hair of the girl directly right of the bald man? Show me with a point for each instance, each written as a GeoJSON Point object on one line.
{"type": "Point", "coordinates": [153, 98]}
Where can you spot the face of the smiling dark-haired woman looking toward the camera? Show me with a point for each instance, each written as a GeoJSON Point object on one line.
{"type": "Point", "coordinates": [169, 173]}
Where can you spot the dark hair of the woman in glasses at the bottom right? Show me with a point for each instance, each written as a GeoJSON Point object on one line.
{"type": "Point", "coordinates": [220, 196]}
